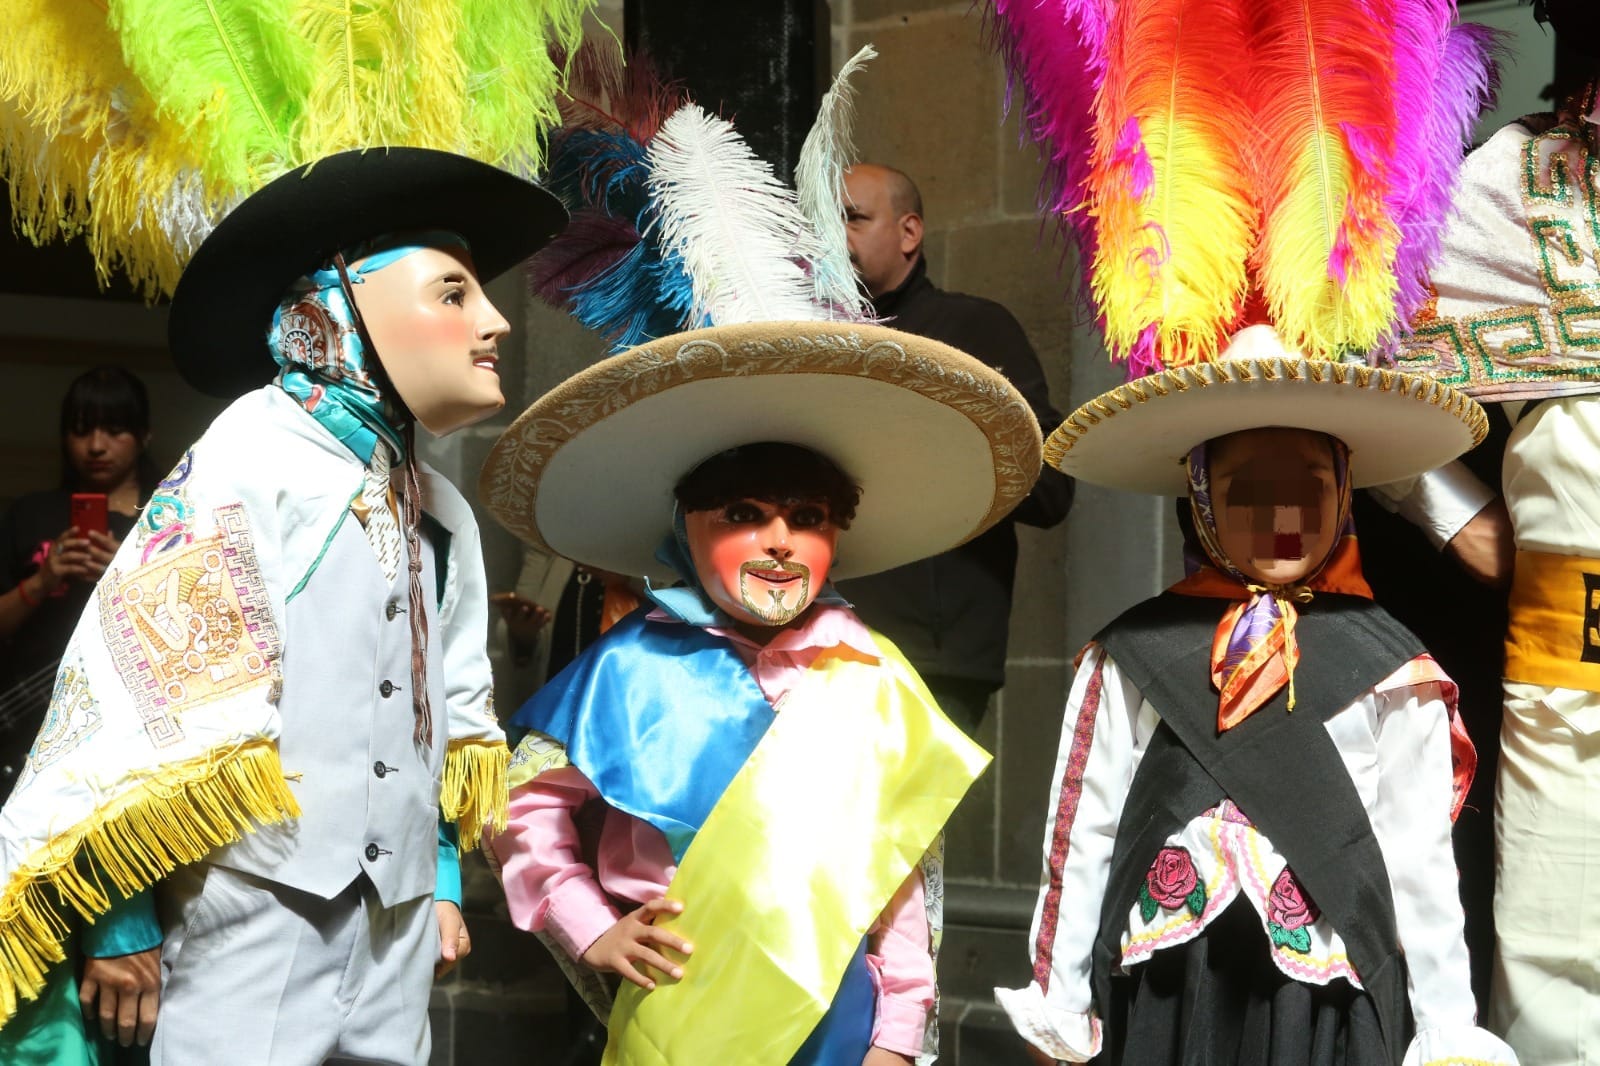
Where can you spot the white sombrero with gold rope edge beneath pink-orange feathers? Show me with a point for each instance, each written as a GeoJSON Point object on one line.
{"type": "Point", "coordinates": [1138, 436]}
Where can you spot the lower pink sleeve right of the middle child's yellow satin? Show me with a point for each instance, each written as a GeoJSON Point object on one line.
{"type": "Point", "coordinates": [902, 955]}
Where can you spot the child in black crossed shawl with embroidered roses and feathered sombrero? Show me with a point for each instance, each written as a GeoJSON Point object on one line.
{"type": "Point", "coordinates": [1249, 849]}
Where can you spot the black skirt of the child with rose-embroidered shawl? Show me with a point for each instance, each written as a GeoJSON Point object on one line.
{"type": "Point", "coordinates": [1220, 1001]}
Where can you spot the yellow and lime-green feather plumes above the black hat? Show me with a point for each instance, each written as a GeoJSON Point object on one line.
{"type": "Point", "coordinates": [142, 122]}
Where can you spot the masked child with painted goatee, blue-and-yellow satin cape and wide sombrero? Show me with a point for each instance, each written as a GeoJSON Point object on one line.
{"type": "Point", "coordinates": [729, 799]}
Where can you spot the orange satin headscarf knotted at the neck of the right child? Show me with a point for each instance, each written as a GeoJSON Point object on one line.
{"type": "Point", "coordinates": [1254, 654]}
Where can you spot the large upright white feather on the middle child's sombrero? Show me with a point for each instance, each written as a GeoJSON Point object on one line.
{"type": "Point", "coordinates": [735, 226]}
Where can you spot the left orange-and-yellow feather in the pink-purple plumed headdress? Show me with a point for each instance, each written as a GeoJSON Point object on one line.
{"type": "Point", "coordinates": [1172, 191]}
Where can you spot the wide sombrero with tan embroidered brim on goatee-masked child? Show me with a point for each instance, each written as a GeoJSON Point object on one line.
{"type": "Point", "coordinates": [940, 444]}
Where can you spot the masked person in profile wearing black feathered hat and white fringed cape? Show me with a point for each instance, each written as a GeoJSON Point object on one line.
{"type": "Point", "coordinates": [273, 727]}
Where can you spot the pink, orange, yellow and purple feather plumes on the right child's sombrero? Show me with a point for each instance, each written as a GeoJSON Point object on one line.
{"type": "Point", "coordinates": [1220, 162]}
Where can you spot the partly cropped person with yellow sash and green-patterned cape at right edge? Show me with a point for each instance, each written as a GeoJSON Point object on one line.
{"type": "Point", "coordinates": [1513, 321]}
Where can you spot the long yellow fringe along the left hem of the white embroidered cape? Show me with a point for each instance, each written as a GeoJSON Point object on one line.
{"type": "Point", "coordinates": [177, 816]}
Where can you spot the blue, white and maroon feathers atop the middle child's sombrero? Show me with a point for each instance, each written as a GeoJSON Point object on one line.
{"type": "Point", "coordinates": [678, 223]}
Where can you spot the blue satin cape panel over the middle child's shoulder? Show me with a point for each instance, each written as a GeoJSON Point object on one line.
{"type": "Point", "coordinates": [660, 718]}
